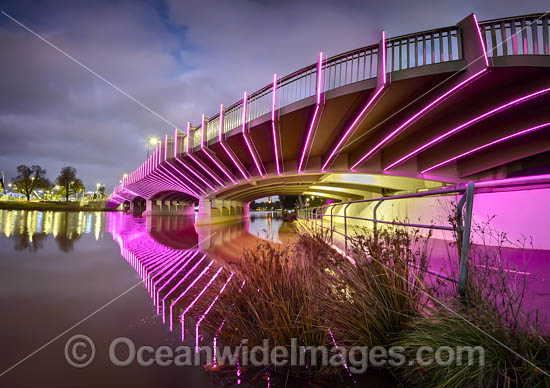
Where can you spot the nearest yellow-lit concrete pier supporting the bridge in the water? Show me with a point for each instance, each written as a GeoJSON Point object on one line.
{"type": "Point", "coordinates": [217, 211]}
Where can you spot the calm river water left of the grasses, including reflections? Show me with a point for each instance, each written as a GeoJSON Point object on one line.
{"type": "Point", "coordinates": [57, 268]}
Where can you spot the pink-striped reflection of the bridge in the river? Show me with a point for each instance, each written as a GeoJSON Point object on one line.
{"type": "Point", "coordinates": [184, 267]}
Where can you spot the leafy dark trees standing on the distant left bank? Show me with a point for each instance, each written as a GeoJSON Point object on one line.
{"type": "Point", "coordinates": [30, 179]}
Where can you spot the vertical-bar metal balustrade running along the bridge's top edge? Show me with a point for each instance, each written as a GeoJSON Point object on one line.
{"type": "Point", "coordinates": [402, 52]}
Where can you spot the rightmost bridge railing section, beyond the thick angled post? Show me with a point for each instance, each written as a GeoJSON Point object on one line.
{"type": "Point", "coordinates": [521, 35]}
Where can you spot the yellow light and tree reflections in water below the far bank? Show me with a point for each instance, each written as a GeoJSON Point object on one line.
{"type": "Point", "coordinates": [29, 229]}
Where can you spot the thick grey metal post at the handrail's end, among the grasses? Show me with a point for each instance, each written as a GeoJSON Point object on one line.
{"type": "Point", "coordinates": [468, 199]}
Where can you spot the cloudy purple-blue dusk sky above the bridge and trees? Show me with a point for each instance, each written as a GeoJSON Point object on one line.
{"type": "Point", "coordinates": [179, 58]}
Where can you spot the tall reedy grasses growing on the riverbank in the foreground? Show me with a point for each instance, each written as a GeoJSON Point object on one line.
{"type": "Point", "coordinates": [382, 295]}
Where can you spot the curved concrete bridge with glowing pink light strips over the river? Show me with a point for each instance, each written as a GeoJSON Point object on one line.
{"type": "Point", "coordinates": [462, 103]}
